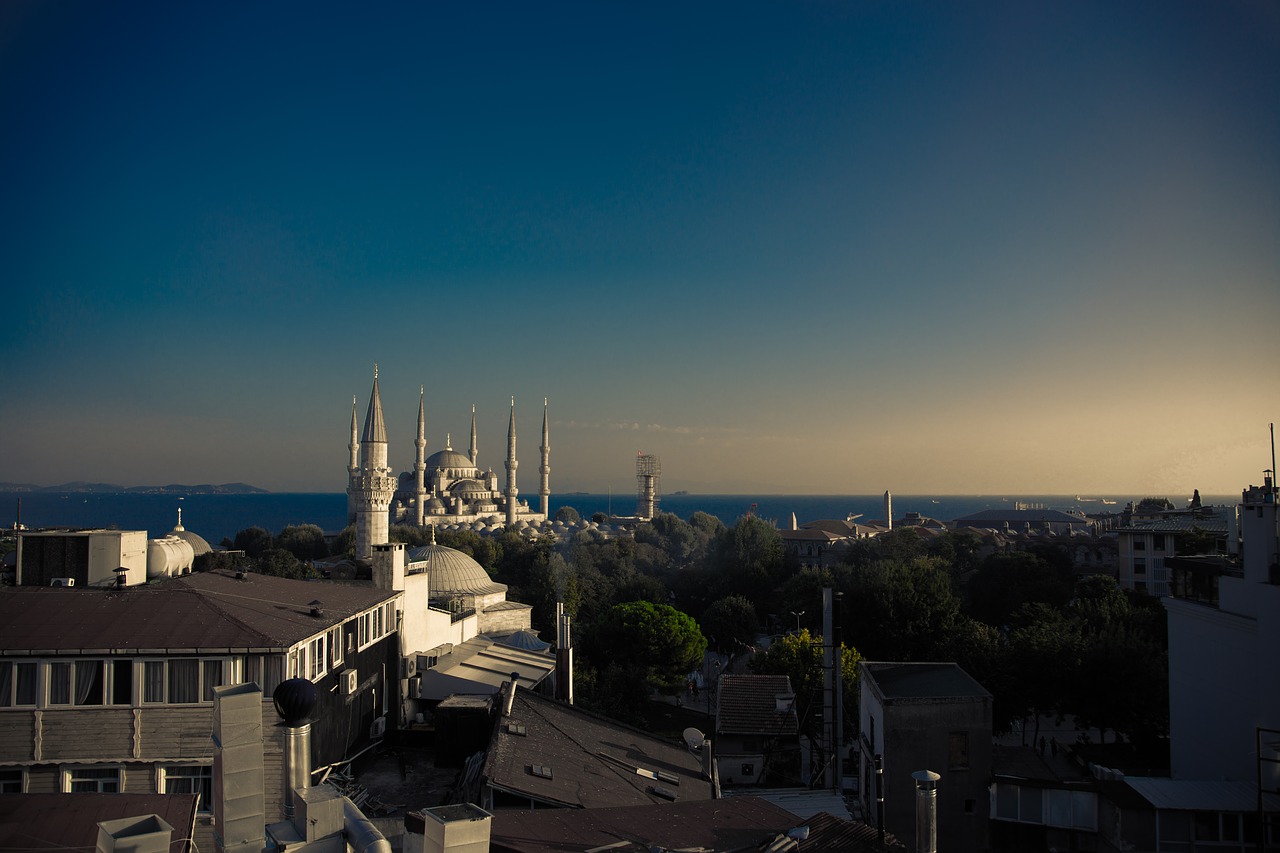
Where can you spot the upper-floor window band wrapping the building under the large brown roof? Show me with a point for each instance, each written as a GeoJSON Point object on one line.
{"type": "Point", "coordinates": [181, 681]}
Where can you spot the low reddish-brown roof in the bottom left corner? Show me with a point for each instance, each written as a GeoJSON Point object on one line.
{"type": "Point", "coordinates": [70, 822]}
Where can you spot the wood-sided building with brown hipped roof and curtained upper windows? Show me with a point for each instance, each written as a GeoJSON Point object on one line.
{"type": "Point", "coordinates": [113, 690]}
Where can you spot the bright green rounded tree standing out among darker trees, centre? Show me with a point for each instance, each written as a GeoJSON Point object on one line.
{"type": "Point", "coordinates": [656, 637]}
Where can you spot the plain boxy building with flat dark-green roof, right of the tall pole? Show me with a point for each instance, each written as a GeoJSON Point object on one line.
{"type": "Point", "coordinates": [927, 718]}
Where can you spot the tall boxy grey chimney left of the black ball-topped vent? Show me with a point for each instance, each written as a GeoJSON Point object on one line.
{"type": "Point", "coordinates": [240, 808]}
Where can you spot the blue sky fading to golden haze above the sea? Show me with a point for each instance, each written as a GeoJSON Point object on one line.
{"type": "Point", "coordinates": [789, 248]}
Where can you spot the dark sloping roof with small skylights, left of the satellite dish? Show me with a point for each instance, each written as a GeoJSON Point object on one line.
{"type": "Point", "coordinates": [595, 763]}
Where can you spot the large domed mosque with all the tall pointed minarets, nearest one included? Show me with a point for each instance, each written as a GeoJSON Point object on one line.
{"type": "Point", "coordinates": [445, 489]}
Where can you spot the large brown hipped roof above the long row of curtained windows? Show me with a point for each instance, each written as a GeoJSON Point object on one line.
{"type": "Point", "coordinates": [200, 613]}
